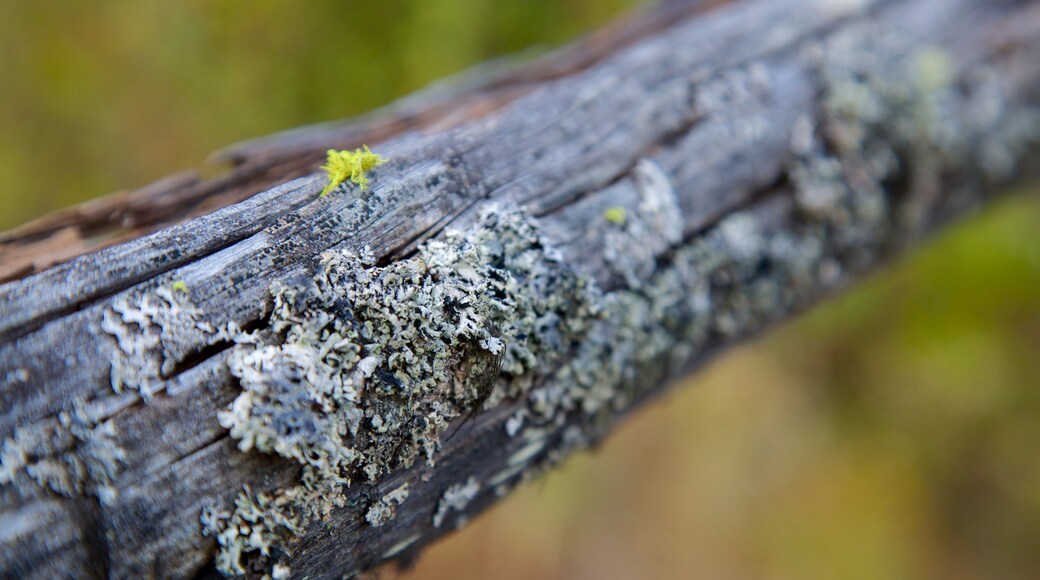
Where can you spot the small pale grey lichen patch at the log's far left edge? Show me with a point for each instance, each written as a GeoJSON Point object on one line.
{"type": "Point", "coordinates": [76, 455]}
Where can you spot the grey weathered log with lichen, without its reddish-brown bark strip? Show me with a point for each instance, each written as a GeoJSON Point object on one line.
{"type": "Point", "coordinates": [308, 385]}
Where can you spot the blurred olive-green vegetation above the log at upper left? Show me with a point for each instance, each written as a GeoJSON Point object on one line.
{"type": "Point", "coordinates": [98, 96]}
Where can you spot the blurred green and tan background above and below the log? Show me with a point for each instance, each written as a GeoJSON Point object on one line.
{"type": "Point", "coordinates": [894, 433]}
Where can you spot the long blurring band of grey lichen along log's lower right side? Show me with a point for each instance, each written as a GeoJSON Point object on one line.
{"type": "Point", "coordinates": [866, 172]}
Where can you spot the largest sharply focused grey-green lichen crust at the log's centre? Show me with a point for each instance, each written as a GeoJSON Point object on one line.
{"type": "Point", "coordinates": [367, 365]}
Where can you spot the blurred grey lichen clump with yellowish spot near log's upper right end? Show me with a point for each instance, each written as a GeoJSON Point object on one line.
{"type": "Point", "coordinates": [894, 126]}
